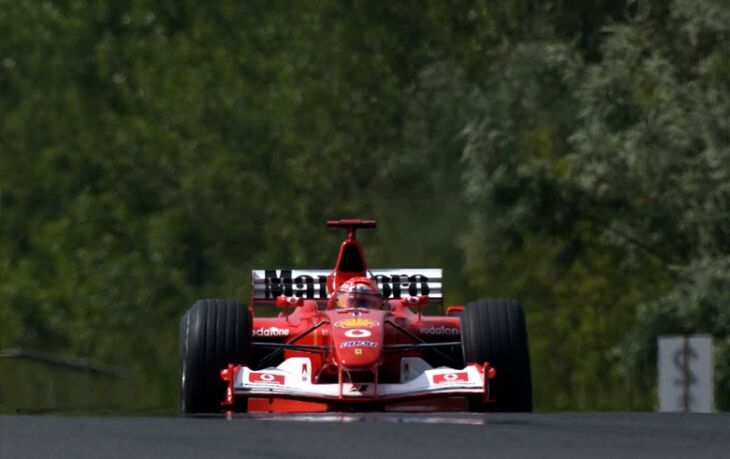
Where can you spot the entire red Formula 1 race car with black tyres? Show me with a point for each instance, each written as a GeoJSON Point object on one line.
{"type": "Point", "coordinates": [353, 339]}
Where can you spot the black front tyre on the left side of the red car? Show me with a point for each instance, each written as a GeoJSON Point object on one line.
{"type": "Point", "coordinates": [213, 333]}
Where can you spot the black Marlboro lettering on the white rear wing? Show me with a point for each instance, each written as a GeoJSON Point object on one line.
{"type": "Point", "coordinates": [280, 282]}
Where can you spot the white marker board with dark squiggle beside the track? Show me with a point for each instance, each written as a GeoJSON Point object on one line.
{"type": "Point", "coordinates": [686, 374]}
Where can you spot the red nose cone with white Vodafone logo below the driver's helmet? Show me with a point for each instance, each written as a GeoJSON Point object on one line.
{"type": "Point", "coordinates": [357, 337]}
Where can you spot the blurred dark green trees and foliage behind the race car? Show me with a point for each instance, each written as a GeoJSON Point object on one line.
{"type": "Point", "coordinates": [572, 154]}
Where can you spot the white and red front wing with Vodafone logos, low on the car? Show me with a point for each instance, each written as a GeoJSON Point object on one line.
{"type": "Point", "coordinates": [293, 380]}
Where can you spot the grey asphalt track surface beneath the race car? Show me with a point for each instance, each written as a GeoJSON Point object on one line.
{"type": "Point", "coordinates": [372, 435]}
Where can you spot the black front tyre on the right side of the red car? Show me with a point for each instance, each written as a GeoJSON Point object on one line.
{"type": "Point", "coordinates": [494, 331]}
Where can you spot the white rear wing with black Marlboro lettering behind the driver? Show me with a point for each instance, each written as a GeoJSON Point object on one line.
{"type": "Point", "coordinates": [268, 284]}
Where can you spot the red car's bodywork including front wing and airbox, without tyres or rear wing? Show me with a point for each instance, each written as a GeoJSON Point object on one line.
{"type": "Point", "coordinates": [334, 359]}
